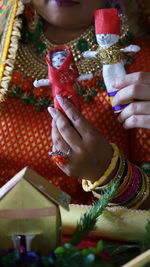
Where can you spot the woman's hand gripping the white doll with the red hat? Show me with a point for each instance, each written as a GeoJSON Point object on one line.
{"type": "Point", "coordinates": [135, 86]}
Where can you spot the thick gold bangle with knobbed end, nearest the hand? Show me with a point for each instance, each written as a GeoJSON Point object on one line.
{"type": "Point", "coordinates": [103, 178]}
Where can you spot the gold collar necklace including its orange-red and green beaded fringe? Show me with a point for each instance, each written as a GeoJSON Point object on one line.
{"type": "Point", "coordinates": [29, 66]}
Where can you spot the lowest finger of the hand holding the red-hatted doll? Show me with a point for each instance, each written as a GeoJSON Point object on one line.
{"type": "Point", "coordinates": [137, 121]}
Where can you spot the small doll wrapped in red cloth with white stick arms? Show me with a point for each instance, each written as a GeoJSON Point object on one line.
{"type": "Point", "coordinates": [63, 76]}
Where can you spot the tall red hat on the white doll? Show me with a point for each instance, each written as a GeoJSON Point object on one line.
{"type": "Point", "coordinates": [107, 21]}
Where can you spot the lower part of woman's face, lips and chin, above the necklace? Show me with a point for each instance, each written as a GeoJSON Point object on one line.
{"type": "Point", "coordinates": [68, 14]}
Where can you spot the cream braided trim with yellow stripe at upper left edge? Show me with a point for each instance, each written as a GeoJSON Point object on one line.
{"type": "Point", "coordinates": [10, 24]}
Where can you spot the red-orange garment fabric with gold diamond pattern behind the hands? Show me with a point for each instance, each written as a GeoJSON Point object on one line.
{"type": "Point", "coordinates": [25, 136]}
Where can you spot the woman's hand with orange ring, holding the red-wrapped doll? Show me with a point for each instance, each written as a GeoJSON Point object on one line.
{"type": "Point", "coordinates": [90, 152]}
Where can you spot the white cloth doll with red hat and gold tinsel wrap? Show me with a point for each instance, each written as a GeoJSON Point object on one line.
{"type": "Point", "coordinates": [107, 28]}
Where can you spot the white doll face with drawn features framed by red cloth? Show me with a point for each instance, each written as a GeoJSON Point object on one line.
{"type": "Point", "coordinates": [57, 58]}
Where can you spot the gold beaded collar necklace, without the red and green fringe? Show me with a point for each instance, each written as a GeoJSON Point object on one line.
{"type": "Point", "coordinates": [35, 66]}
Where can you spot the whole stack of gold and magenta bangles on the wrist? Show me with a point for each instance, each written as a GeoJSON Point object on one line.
{"type": "Point", "coordinates": [134, 184]}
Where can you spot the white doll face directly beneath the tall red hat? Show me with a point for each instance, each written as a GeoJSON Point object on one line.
{"type": "Point", "coordinates": [107, 40]}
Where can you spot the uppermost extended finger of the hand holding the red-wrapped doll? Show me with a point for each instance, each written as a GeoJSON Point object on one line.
{"type": "Point", "coordinates": [84, 128]}
